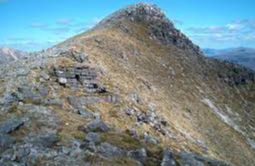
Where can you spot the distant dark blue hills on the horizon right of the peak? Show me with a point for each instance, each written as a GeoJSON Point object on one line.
{"type": "Point", "coordinates": [241, 55]}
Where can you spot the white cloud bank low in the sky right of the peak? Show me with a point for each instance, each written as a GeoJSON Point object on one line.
{"type": "Point", "coordinates": [238, 32]}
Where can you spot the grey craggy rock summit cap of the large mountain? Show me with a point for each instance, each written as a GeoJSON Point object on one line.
{"type": "Point", "coordinates": [158, 26]}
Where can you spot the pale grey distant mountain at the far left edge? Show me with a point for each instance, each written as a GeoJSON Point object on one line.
{"type": "Point", "coordinates": [10, 54]}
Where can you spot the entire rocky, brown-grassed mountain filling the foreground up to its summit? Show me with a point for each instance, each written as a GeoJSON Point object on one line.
{"type": "Point", "coordinates": [133, 90]}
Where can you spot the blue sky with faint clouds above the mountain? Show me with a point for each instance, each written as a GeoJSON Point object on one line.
{"type": "Point", "coordinates": [37, 24]}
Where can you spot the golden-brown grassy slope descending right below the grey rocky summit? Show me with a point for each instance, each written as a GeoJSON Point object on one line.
{"type": "Point", "coordinates": [175, 81]}
